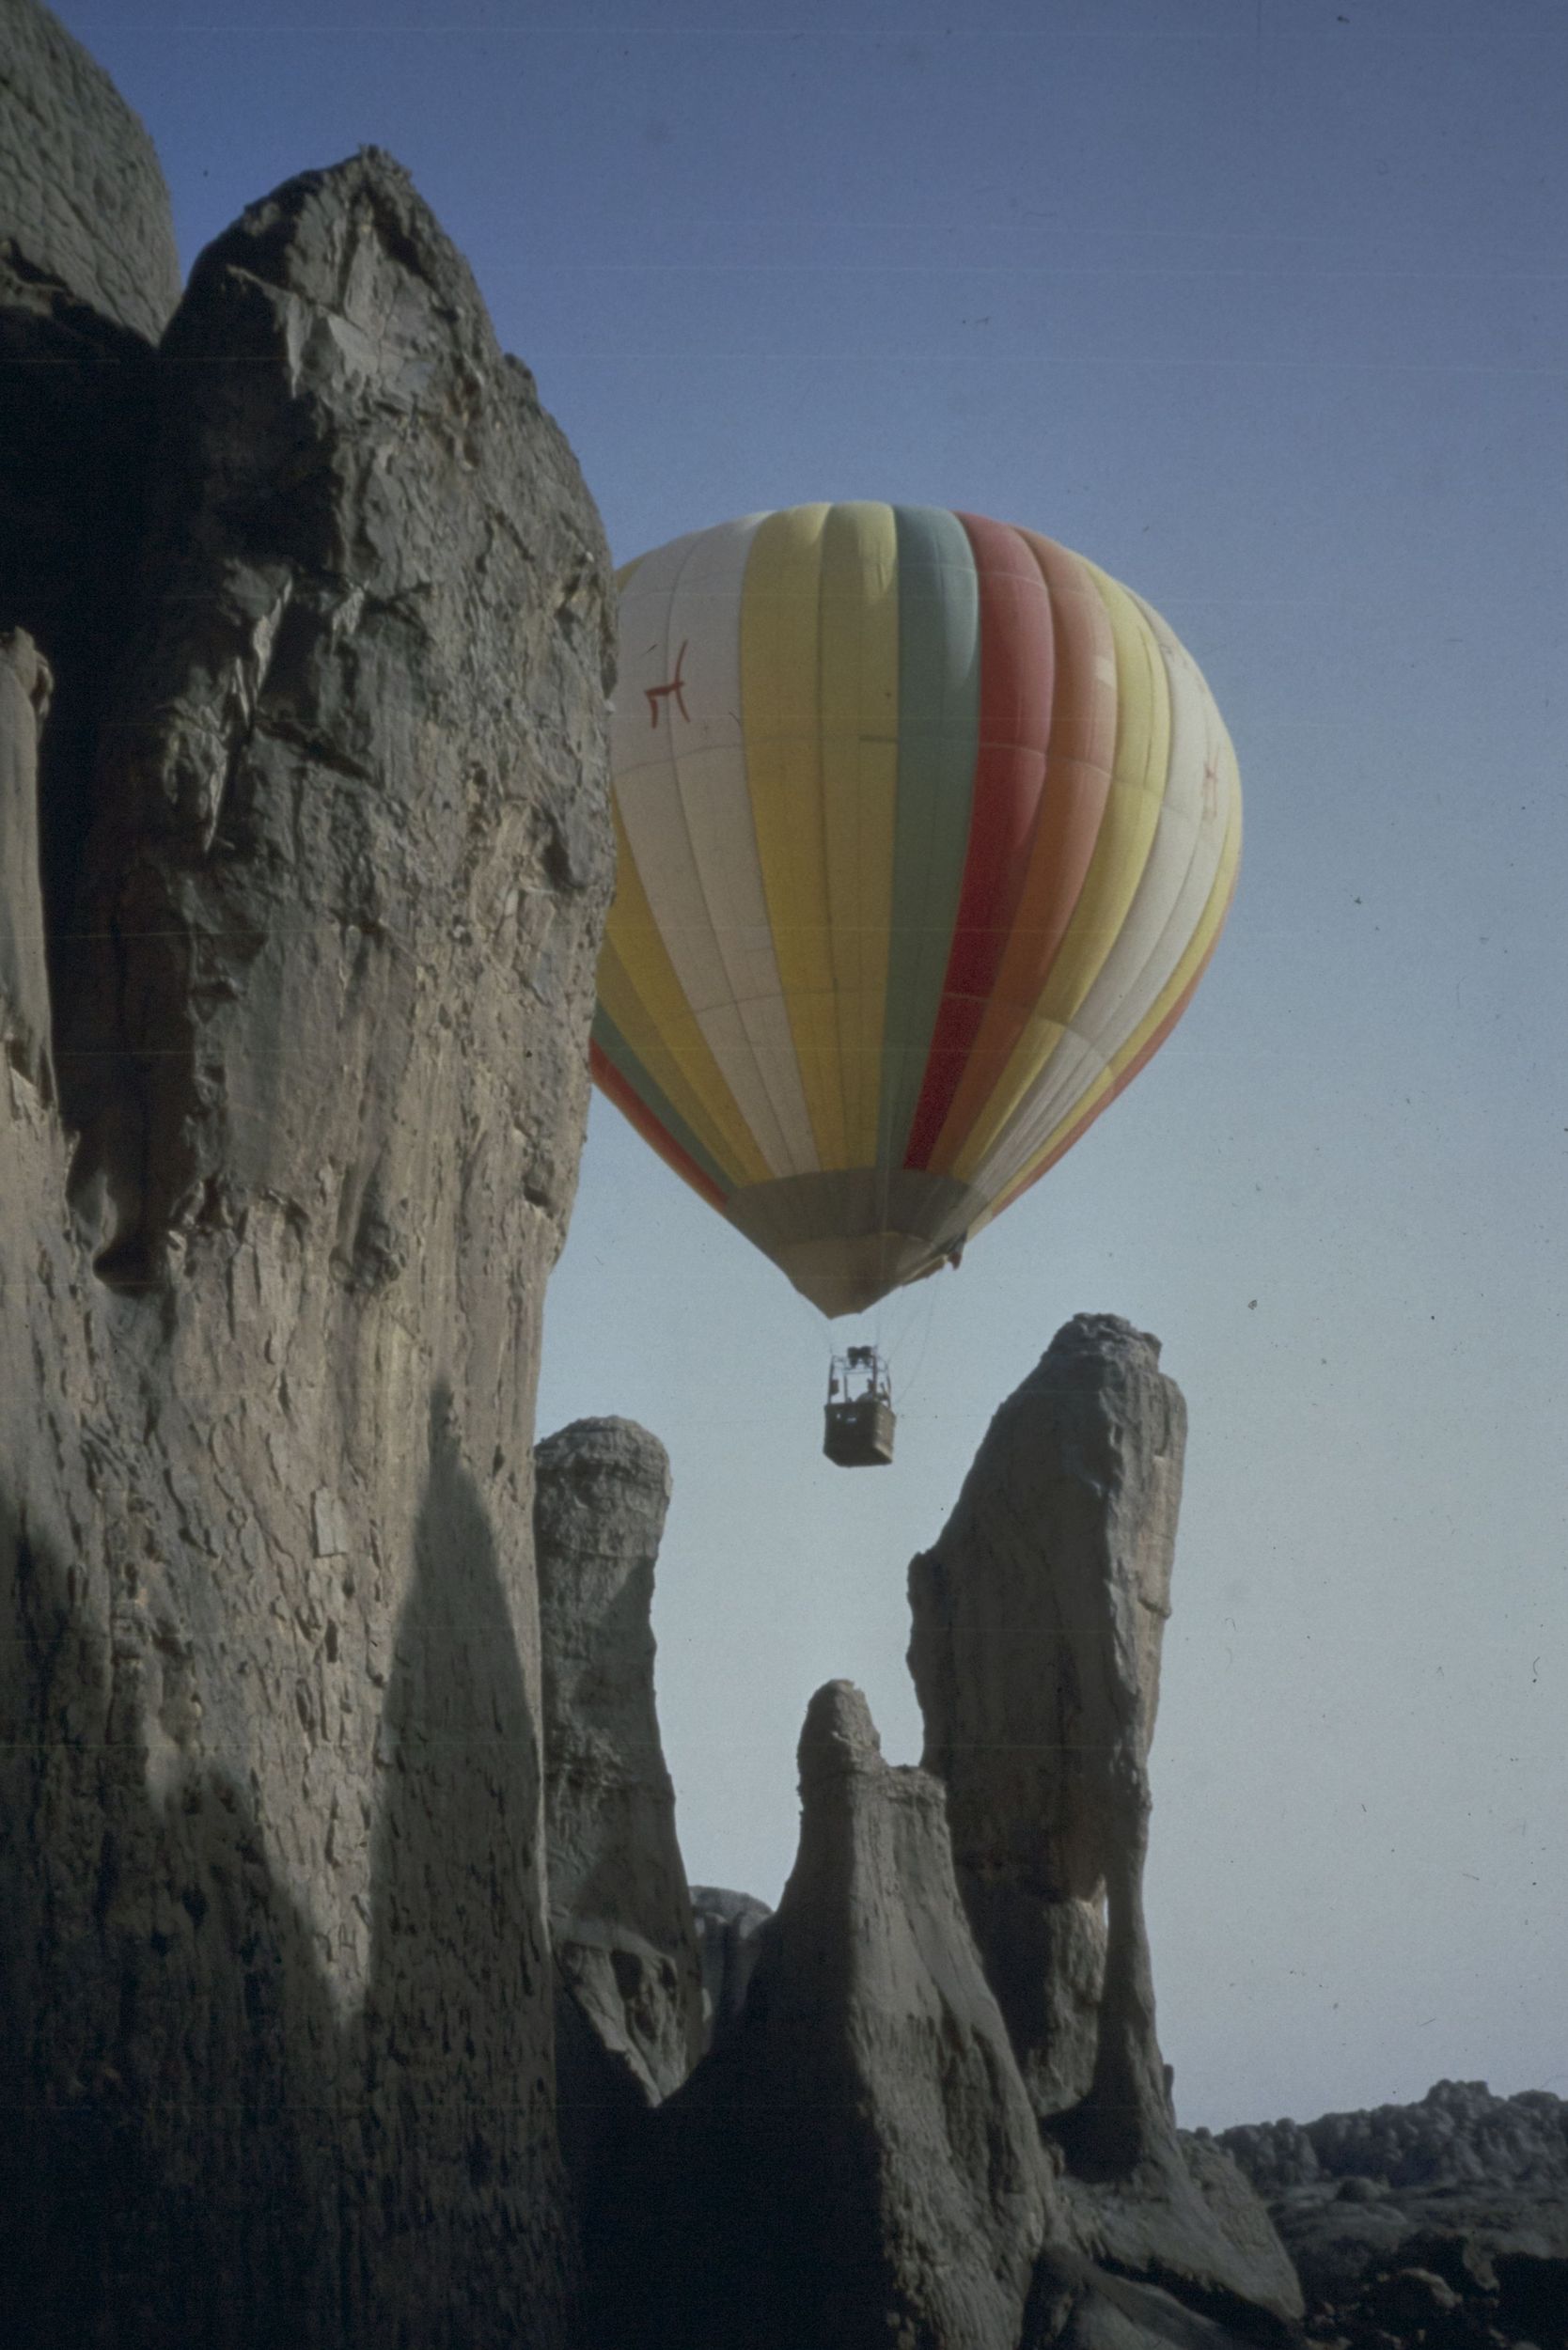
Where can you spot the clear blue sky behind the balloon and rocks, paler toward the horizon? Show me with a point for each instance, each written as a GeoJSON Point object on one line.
{"type": "Point", "coordinates": [1264, 307]}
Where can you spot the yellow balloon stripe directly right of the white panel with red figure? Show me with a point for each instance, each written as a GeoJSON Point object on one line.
{"type": "Point", "coordinates": [784, 772]}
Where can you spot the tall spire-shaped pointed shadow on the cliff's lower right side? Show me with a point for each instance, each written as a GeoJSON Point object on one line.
{"type": "Point", "coordinates": [457, 2121]}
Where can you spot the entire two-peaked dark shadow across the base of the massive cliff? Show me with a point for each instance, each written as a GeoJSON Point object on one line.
{"type": "Point", "coordinates": [199, 2147]}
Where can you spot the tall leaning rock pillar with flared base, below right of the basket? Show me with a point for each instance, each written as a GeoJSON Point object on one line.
{"type": "Point", "coordinates": [1036, 1653]}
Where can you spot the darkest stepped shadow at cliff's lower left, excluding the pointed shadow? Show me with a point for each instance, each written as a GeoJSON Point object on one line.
{"type": "Point", "coordinates": [170, 2060]}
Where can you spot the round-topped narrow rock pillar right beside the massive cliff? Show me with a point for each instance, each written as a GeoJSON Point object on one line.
{"type": "Point", "coordinates": [622, 1923]}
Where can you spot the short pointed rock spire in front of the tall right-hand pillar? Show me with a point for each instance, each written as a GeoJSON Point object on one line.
{"type": "Point", "coordinates": [857, 2163]}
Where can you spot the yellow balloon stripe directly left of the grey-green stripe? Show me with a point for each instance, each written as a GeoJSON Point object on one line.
{"type": "Point", "coordinates": [859, 737]}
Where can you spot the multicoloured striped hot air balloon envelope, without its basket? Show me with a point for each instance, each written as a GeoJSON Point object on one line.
{"type": "Point", "coordinates": [927, 831]}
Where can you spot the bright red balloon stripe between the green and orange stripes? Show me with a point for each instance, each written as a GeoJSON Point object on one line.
{"type": "Point", "coordinates": [1017, 678]}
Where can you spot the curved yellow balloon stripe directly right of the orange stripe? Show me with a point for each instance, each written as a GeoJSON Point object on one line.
{"type": "Point", "coordinates": [1123, 847]}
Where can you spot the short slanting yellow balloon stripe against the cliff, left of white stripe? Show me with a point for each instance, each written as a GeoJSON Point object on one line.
{"type": "Point", "coordinates": [643, 995]}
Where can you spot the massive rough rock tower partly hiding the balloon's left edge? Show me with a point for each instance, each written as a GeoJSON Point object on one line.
{"type": "Point", "coordinates": [274, 1942]}
